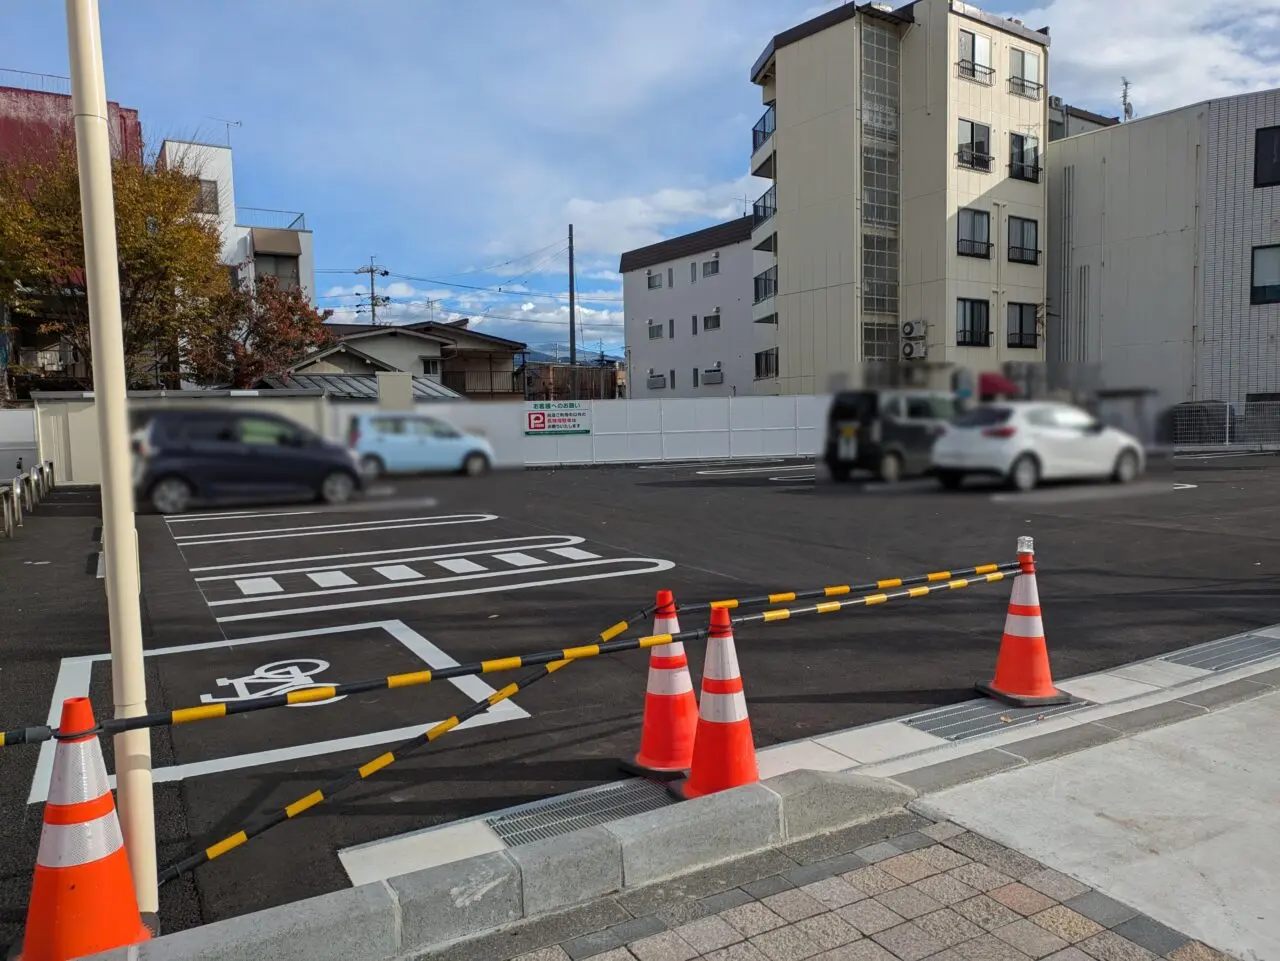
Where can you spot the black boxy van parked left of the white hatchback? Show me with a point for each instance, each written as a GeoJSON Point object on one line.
{"type": "Point", "coordinates": [889, 433]}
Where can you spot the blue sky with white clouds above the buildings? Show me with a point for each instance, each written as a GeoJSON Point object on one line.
{"type": "Point", "coordinates": [456, 140]}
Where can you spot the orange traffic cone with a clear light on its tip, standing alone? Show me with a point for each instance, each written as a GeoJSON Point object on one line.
{"type": "Point", "coordinates": [1023, 678]}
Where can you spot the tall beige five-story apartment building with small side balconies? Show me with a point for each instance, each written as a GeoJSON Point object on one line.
{"type": "Point", "coordinates": [908, 194]}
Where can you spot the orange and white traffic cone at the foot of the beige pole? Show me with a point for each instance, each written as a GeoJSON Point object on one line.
{"type": "Point", "coordinates": [83, 898]}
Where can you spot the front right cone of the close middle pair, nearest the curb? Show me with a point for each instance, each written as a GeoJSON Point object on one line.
{"type": "Point", "coordinates": [724, 749]}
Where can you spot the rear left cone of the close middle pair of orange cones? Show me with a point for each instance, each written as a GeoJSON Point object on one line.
{"type": "Point", "coordinates": [670, 704]}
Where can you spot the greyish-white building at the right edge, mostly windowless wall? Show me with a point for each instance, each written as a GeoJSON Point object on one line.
{"type": "Point", "coordinates": [1165, 251]}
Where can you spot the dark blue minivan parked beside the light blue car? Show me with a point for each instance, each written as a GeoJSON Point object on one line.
{"type": "Point", "coordinates": [185, 457]}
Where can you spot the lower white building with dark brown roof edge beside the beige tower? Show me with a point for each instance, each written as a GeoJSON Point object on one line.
{"type": "Point", "coordinates": [688, 308]}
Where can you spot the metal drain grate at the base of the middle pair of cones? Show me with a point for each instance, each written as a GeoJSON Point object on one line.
{"type": "Point", "coordinates": [561, 816]}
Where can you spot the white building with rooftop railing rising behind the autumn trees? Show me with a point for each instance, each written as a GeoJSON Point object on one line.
{"type": "Point", "coordinates": [258, 240]}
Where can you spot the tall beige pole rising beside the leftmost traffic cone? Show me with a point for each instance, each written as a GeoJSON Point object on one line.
{"type": "Point", "coordinates": [111, 404]}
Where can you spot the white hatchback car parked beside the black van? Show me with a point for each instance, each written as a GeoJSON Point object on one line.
{"type": "Point", "coordinates": [1027, 442]}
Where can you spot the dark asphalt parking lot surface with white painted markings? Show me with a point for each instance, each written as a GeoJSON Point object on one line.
{"type": "Point", "coordinates": [263, 601]}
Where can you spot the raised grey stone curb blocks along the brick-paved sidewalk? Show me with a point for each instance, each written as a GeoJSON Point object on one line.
{"type": "Point", "coordinates": [433, 908]}
